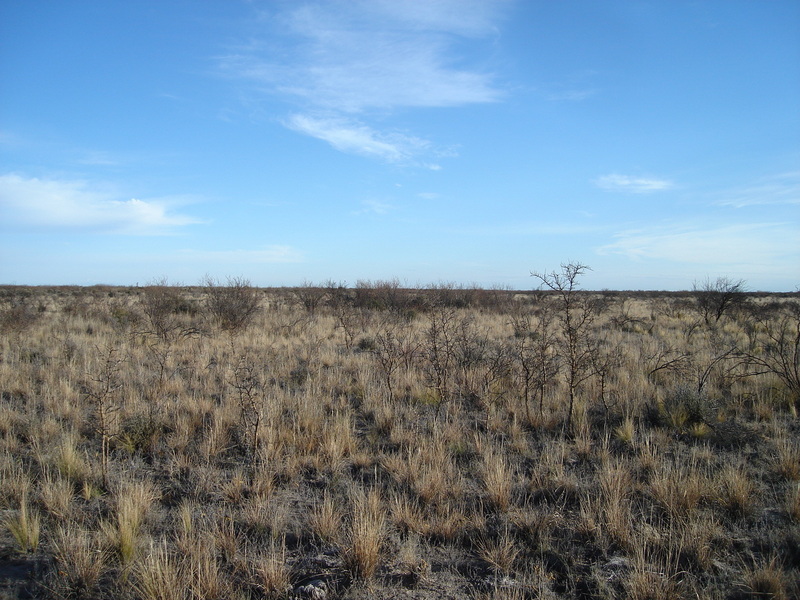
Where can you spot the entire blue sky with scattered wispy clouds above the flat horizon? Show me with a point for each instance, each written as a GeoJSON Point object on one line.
{"type": "Point", "coordinates": [462, 141]}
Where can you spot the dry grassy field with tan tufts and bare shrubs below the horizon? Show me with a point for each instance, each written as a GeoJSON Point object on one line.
{"type": "Point", "coordinates": [372, 442]}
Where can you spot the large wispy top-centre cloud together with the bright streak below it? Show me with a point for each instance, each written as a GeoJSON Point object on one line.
{"type": "Point", "coordinates": [364, 56]}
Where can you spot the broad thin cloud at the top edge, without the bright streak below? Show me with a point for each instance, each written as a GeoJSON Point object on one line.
{"type": "Point", "coordinates": [382, 55]}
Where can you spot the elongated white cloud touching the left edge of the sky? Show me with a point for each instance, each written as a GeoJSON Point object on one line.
{"type": "Point", "coordinates": [66, 204]}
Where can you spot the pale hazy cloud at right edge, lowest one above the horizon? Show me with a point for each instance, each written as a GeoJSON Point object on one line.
{"type": "Point", "coordinates": [737, 244]}
